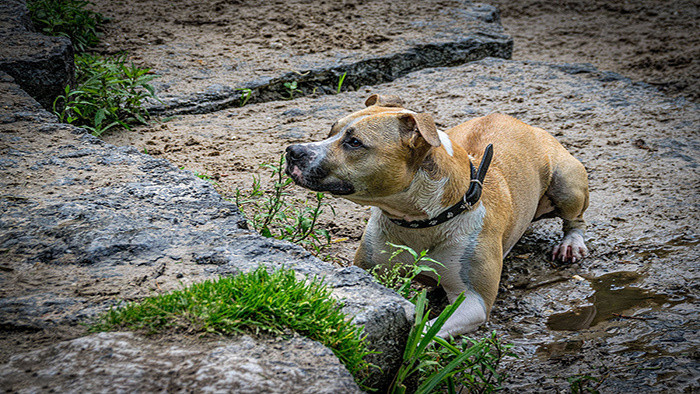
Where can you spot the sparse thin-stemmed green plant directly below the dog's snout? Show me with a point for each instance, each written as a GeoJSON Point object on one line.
{"type": "Point", "coordinates": [275, 215]}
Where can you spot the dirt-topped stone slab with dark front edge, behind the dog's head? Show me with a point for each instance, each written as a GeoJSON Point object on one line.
{"type": "Point", "coordinates": [207, 58]}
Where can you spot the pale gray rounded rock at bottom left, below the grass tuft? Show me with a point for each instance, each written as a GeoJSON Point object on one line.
{"type": "Point", "coordinates": [126, 362]}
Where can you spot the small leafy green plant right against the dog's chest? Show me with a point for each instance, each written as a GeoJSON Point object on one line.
{"type": "Point", "coordinates": [400, 276]}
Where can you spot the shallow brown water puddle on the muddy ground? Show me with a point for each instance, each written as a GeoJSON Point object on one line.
{"type": "Point", "coordinates": [613, 295]}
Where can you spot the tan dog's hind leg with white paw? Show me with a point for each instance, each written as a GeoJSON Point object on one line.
{"type": "Point", "coordinates": [568, 193]}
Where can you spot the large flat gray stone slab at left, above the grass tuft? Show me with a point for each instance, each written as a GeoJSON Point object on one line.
{"type": "Point", "coordinates": [85, 225]}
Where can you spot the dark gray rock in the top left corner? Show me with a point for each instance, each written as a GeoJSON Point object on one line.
{"type": "Point", "coordinates": [41, 65]}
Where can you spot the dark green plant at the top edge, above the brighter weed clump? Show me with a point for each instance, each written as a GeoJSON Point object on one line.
{"type": "Point", "coordinates": [68, 18]}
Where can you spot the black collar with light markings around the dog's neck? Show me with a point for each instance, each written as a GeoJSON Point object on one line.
{"type": "Point", "coordinates": [470, 198]}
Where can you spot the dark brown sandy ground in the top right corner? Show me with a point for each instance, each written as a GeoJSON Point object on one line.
{"type": "Point", "coordinates": [652, 41]}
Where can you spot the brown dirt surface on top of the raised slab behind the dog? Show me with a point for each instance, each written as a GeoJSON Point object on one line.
{"type": "Point", "coordinates": [193, 45]}
